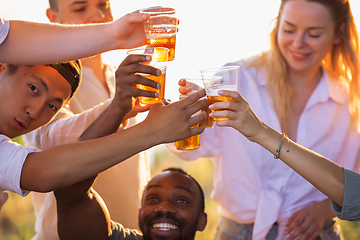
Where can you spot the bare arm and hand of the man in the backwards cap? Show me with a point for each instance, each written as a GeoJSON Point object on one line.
{"type": "Point", "coordinates": [64, 165]}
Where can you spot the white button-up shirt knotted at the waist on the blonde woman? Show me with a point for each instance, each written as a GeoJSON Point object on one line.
{"type": "Point", "coordinates": [253, 187]}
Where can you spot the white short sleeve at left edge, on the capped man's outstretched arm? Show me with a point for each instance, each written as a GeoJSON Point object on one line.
{"type": "Point", "coordinates": [12, 158]}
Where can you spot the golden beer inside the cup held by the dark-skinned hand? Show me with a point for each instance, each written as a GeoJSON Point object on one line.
{"type": "Point", "coordinates": [161, 91]}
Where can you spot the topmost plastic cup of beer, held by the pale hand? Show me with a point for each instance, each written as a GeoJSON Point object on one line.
{"type": "Point", "coordinates": [161, 28]}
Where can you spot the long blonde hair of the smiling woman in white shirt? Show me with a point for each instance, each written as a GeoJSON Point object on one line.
{"type": "Point", "coordinates": [342, 63]}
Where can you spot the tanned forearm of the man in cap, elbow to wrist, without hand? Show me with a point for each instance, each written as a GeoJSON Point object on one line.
{"type": "Point", "coordinates": [64, 165]}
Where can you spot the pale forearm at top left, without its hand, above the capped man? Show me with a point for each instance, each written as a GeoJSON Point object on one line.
{"type": "Point", "coordinates": [49, 44]}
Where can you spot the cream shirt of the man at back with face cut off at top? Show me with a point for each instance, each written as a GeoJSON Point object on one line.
{"type": "Point", "coordinates": [120, 186]}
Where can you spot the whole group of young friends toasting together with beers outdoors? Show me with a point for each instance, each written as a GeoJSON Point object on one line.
{"type": "Point", "coordinates": [285, 164]}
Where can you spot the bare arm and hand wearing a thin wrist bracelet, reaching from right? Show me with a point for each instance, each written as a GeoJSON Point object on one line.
{"type": "Point", "coordinates": [324, 174]}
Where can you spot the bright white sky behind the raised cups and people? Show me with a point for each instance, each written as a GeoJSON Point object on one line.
{"type": "Point", "coordinates": [211, 33]}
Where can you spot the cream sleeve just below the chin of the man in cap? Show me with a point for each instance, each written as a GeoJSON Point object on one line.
{"type": "Point", "coordinates": [65, 128]}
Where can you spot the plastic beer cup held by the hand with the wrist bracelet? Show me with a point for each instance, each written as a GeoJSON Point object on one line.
{"type": "Point", "coordinates": [216, 79]}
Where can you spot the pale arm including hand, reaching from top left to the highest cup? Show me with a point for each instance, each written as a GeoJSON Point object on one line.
{"type": "Point", "coordinates": [41, 43]}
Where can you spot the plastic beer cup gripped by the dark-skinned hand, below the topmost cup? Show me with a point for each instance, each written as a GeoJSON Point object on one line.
{"type": "Point", "coordinates": [159, 57]}
